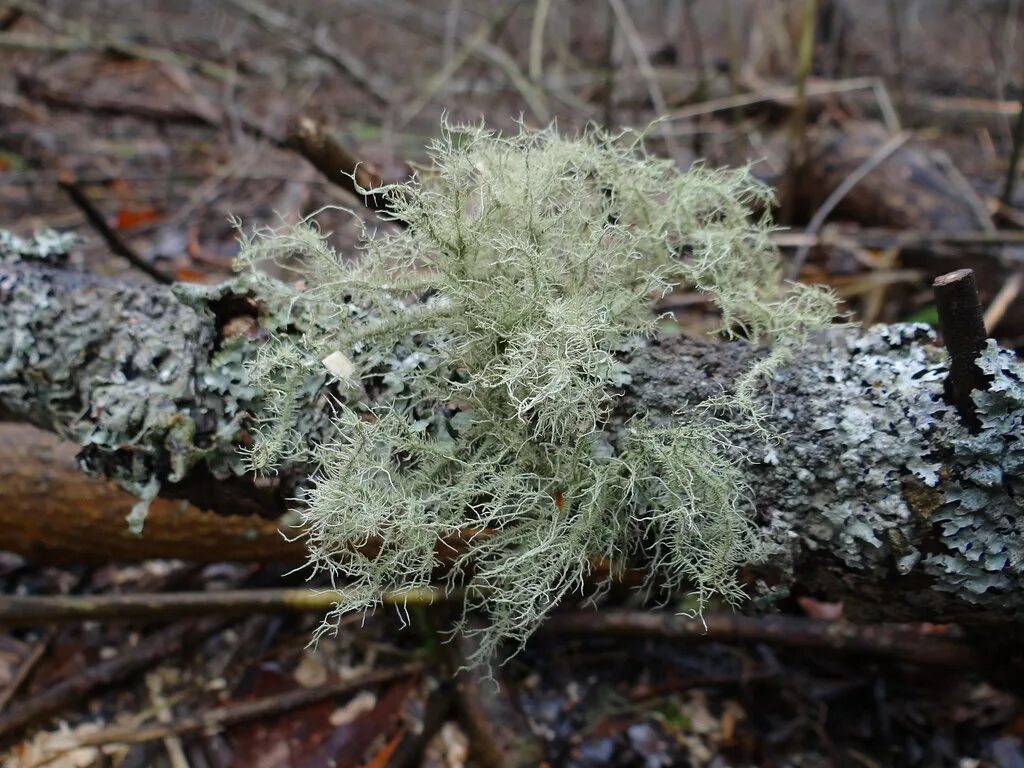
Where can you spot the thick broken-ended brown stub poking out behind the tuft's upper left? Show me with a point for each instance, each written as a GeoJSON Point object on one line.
{"type": "Point", "coordinates": [316, 143]}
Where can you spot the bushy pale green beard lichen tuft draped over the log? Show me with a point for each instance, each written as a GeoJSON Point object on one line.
{"type": "Point", "coordinates": [478, 354]}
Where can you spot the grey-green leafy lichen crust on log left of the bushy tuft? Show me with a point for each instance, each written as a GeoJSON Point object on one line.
{"type": "Point", "coordinates": [146, 381]}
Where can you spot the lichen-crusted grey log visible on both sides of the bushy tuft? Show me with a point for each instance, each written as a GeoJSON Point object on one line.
{"type": "Point", "coordinates": [878, 495]}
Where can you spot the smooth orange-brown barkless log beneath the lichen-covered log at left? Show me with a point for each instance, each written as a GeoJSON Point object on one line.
{"type": "Point", "coordinates": [52, 513]}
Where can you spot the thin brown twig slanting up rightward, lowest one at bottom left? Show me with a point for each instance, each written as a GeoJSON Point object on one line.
{"type": "Point", "coordinates": [223, 717]}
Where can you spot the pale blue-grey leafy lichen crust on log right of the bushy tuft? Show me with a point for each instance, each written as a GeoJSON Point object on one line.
{"type": "Point", "coordinates": [882, 477]}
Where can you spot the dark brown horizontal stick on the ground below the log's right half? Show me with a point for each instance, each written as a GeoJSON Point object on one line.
{"type": "Point", "coordinates": [909, 644]}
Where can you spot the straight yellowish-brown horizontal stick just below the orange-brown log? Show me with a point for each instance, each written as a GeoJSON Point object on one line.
{"type": "Point", "coordinates": [22, 611]}
